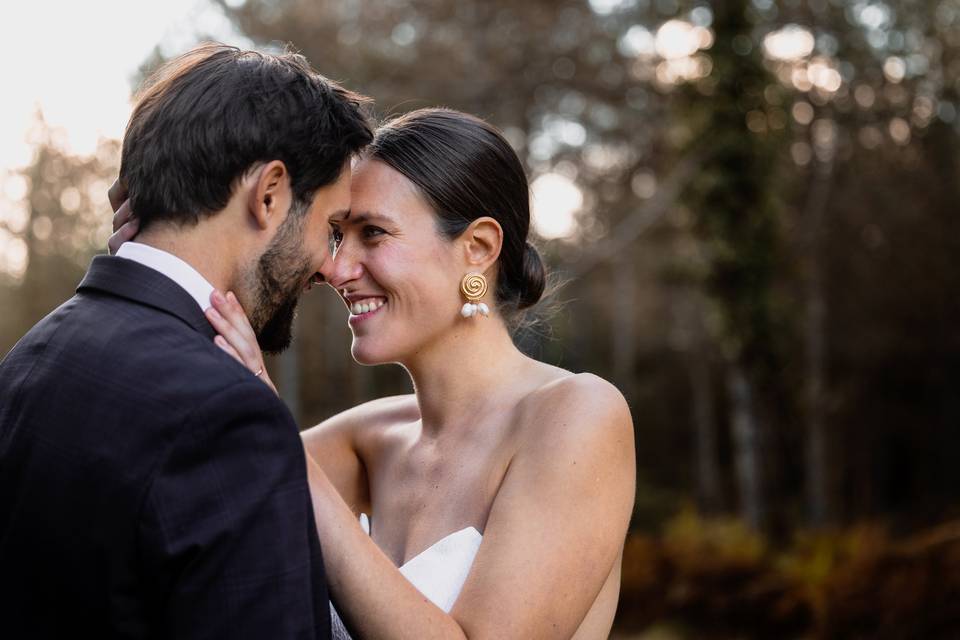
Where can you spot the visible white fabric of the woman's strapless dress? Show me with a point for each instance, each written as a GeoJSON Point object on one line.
{"type": "Point", "coordinates": [438, 572]}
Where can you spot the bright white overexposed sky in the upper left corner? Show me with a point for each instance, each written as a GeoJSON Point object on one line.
{"type": "Point", "coordinates": [74, 62]}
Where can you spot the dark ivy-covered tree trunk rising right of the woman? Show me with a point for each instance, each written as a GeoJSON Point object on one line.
{"type": "Point", "coordinates": [733, 199]}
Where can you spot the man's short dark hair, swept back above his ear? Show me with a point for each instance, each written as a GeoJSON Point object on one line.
{"type": "Point", "coordinates": [205, 118]}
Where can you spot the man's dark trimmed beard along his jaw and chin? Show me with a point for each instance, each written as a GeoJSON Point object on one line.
{"type": "Point", "coordinates": [280, 276]}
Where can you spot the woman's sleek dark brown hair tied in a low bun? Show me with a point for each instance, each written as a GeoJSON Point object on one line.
{"type": "Point", "coordinates": [466, 169]}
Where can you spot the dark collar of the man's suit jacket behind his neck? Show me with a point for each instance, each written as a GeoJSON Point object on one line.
{"type": "Point", "coordinates": [141, 284]}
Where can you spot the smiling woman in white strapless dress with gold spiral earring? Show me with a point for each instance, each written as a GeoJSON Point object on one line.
{"type": "Point", "coordinates": [502, 488]}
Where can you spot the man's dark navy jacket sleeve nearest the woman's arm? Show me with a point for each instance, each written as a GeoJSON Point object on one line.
{"type": "Point", "coordinates": [226, 524]}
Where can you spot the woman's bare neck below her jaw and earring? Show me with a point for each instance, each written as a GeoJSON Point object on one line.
{"type": "Point", "coordinates": [464, 372]}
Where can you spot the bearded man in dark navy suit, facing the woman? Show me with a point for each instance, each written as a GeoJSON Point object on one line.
{"type": "Point", "coordinates": [151, 486]}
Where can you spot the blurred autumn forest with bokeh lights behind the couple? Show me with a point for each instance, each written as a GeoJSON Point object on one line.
{"type": "Point", "coordinates": [752, 208]}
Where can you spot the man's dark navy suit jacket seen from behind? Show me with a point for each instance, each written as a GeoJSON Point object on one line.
{"type": "Point", "coordinates": [150, 486]}
